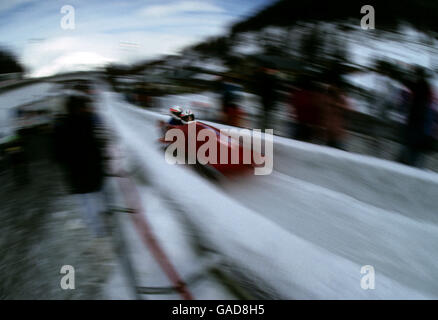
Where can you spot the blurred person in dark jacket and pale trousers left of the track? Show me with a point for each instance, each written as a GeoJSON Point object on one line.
{"type": "Point", "coordinates": [80, 152]}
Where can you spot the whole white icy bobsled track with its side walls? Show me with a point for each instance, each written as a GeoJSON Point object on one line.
{"type": "Point", "coordinates": [306, 230]}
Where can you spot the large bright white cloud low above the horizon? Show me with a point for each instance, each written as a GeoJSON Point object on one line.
{"type": "Point", "coordinates": [65, 54]}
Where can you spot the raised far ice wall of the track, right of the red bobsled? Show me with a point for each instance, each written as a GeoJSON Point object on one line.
{"type": "Point", "coordinates": [385, 184]}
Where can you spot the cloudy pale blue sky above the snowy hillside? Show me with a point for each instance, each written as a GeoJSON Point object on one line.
{"type": "Point", "coordinates": [111, 31]}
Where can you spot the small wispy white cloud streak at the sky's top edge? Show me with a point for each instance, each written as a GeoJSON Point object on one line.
{"type": "Point", "coordinates": [175, 8]}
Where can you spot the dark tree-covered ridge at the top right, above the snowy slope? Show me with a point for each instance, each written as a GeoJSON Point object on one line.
{"type": "Point", "coordinates": [391, 14]}
